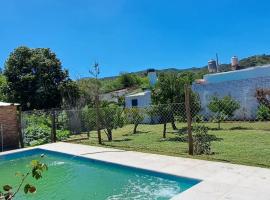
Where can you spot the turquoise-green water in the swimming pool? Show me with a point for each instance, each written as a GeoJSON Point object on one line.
{"type": "Point", "coordinates": [79, 178]}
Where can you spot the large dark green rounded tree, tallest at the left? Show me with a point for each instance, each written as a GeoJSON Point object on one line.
{"type": "Point", "coordinates": [35, 78]}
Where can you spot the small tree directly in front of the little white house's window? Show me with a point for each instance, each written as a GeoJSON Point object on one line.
{"type": "Point", "coordinates": [134, 116]}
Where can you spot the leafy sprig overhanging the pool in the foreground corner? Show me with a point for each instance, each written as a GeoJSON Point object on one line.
{"type": "Point", "coordinates": [36, 171]}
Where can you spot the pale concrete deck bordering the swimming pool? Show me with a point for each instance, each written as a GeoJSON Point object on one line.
{"type": "Point", "coordinates": [220, 181]}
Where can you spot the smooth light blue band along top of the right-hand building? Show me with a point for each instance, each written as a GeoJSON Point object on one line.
{"type": "Point", "coordinates": [252, 72]}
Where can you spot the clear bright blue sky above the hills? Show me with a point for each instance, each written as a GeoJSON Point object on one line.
{"type": "Point", "coordinates": [132, 35]}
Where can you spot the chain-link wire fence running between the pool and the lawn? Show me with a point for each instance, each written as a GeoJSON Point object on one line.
{"type": "Point", "coordinates": [206, 113]}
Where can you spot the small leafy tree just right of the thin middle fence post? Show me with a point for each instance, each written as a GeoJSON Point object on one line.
{"type": "Point", "coordinates": [111, 118]}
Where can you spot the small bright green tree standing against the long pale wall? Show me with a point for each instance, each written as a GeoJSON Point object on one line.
{"type": "Point", "coordinates": [223, 108]}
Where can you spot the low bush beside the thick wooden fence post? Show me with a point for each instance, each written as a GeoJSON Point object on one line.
{"type": "Point", "coordinates": [201, 140]}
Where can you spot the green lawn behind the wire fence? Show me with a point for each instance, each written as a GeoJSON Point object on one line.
{"type": "Point", "coordinates": [242, 143]}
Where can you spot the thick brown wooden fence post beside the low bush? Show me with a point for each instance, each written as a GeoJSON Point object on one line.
{"type": "Point", "coordinates": [189, 119]}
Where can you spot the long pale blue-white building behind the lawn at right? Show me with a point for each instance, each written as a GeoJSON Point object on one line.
{"type": "Point", "coordinates": [240, 84]}
